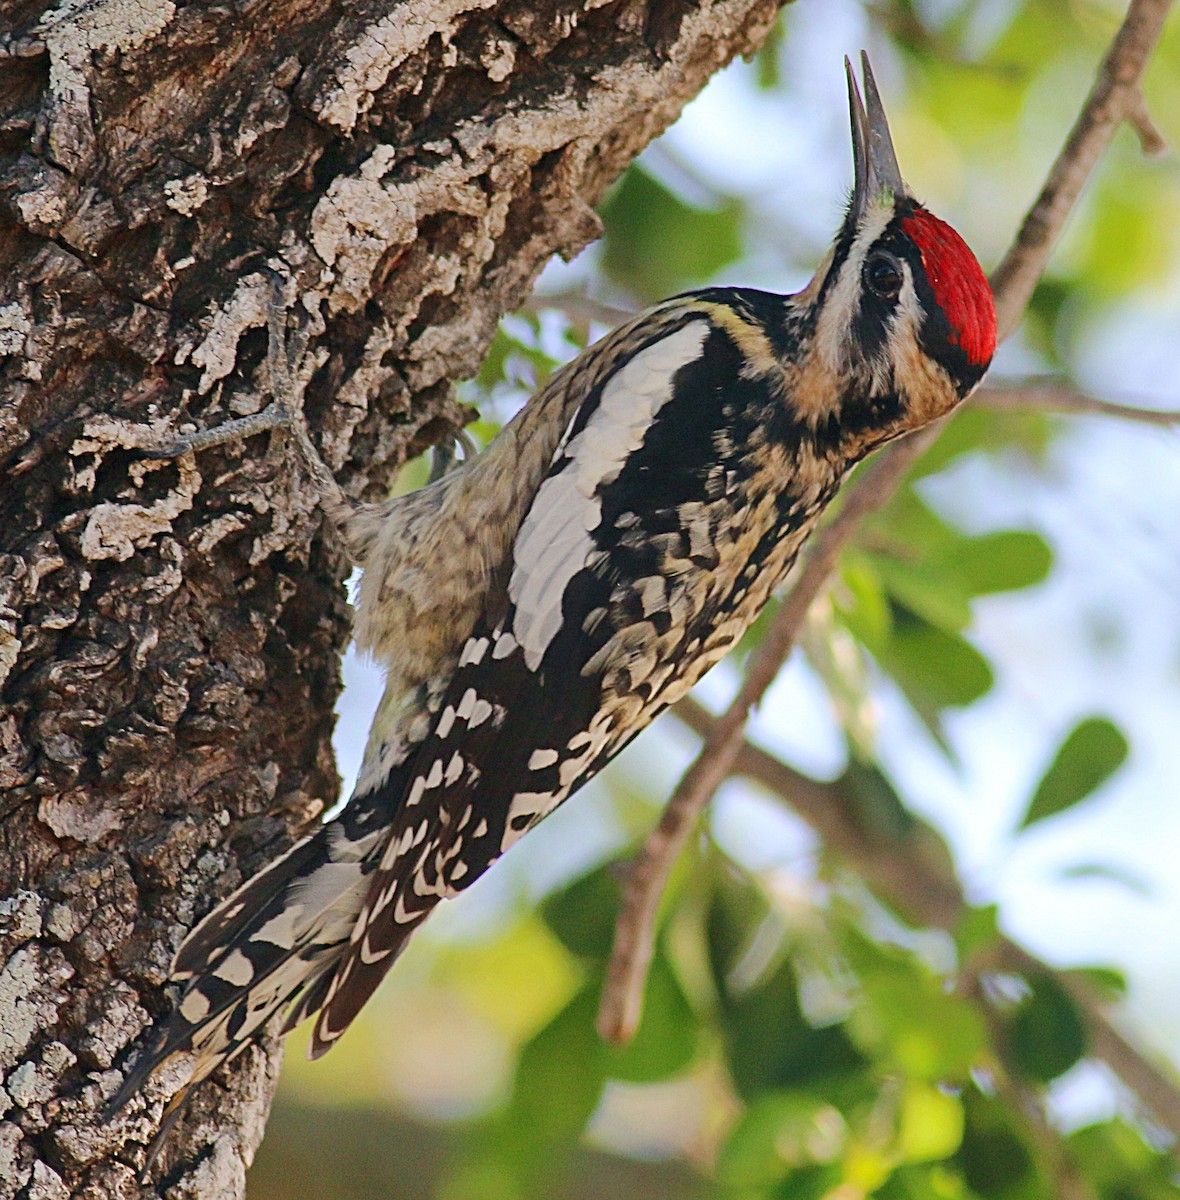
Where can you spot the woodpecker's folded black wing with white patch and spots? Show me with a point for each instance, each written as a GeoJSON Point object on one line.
{"type": "Point", "coordinates": [613, 607]}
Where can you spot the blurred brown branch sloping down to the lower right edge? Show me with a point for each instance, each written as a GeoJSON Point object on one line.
{"type": "Point", "coordinates": [914, 881]}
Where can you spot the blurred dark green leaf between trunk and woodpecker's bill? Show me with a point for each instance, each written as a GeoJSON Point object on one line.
{"type": "Point", "coordinates": [657, 245]}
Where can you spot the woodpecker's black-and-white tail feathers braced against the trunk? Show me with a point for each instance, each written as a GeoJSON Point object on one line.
{"type": "Point", "coordinates": [277, 941]}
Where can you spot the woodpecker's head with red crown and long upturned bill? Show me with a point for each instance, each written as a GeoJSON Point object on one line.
{"type": "Point", "coordinates": [903, 323]}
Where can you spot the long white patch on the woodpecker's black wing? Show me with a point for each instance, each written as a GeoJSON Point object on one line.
{"type": "Point", "coordinates": [555, 538]}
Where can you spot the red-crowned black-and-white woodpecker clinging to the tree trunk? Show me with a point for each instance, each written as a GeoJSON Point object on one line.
{"type": "Point", "coordinates": [536, 608]}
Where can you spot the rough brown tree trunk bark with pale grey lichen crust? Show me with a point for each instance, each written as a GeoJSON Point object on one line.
{"type": "Point", "coordinates": [170, 632]}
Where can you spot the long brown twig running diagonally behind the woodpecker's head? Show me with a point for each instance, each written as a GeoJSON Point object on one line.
{"type": "Point", "coordinates": [1113, 98]}
